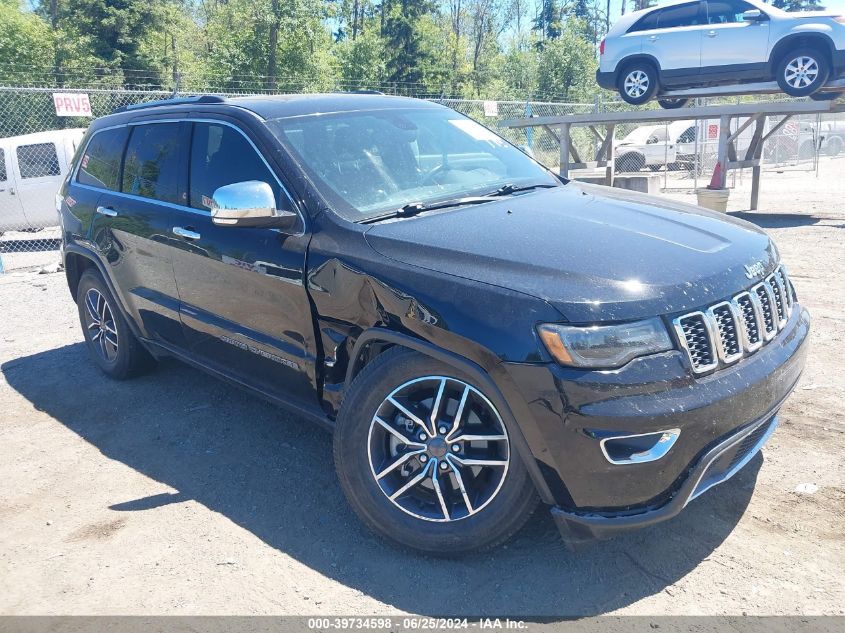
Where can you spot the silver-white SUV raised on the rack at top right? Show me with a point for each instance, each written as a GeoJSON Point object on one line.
{"type": "Point", "coordinates": [712, 42]}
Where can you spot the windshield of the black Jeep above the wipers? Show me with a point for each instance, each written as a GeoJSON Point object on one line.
{"type": "Point", "coordinates": [367, 163]}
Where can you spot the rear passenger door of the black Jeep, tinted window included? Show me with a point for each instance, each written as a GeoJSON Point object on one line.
{"type": "Point", "coordinates": [133, 217]}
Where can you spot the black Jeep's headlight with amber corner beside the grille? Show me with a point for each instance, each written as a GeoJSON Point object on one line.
{"type": "Point", "coordinates": [604, 346]}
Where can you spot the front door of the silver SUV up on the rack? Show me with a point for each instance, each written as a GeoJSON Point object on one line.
{"type": "Point", "coordinates": [733, 49]}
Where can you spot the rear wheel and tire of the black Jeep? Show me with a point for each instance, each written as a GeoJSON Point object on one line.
{"type": "Point", "coordinates": [111, 344]}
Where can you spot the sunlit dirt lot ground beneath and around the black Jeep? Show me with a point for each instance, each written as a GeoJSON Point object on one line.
{"type": "Point", "coordinates": [177, 494]}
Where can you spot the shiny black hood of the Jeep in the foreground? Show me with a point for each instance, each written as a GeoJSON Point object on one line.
{"type": "Point", "coordinates": [595, 253]}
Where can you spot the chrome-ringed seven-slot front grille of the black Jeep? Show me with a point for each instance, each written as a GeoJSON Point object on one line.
{"type": "Point", "coordinates": [726, 331]}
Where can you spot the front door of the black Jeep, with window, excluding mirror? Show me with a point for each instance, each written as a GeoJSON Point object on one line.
{"type": "Point", "coordinates": [244, 305]}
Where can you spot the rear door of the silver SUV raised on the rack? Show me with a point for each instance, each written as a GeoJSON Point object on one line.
{"type": "Point", "coordinates": [673, 37]}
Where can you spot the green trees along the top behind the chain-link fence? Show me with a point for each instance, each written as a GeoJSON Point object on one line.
{"type": "Point", "coordinates": [462, 48]}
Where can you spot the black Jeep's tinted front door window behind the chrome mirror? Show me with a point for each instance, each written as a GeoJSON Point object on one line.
{"type": "Point", "coordinates": [220, 155]}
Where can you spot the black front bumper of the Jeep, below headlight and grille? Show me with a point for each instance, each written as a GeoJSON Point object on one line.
{"type": "Point", "coordinates": [571, 410]}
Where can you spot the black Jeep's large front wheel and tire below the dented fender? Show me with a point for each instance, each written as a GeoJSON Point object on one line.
{"type": "Point", "coordinates": [447, 482]}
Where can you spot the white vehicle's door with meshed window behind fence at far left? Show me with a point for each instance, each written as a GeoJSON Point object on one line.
{"type": "Point", "coordinates": [39, 177]}
